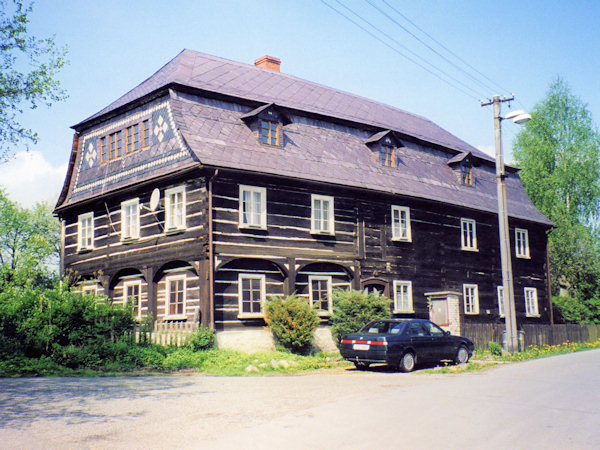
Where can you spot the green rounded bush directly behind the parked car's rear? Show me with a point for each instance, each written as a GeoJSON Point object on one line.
{"type": "Point", "coordinates": [352, 310]}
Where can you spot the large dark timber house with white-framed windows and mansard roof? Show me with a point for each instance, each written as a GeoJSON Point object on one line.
{"type": "Point", "coordinates": [215, 184]}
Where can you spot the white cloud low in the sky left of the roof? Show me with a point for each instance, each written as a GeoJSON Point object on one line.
{"type": "Point", "coordinates": [29, 178]}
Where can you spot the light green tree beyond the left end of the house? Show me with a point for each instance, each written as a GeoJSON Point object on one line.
{"type": "Point", "coordinates": [29, 243]}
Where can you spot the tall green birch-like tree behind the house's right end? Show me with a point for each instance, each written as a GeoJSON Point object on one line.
{"type": "Point", "coordinates": [558, 152]}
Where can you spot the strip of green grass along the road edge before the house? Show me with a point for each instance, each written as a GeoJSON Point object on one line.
{"type": "Point", "coordinates": [171, 360]}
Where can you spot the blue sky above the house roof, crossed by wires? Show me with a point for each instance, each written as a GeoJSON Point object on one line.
{"type": "Point", "coordinates": [114, 45]}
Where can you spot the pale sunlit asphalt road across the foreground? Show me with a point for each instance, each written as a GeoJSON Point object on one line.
{"type": "Point", "coordinates": [547, 403]}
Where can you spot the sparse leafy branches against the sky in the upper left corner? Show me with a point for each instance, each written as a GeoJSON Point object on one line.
{"type": "Point", "coordinates": [28, 67]}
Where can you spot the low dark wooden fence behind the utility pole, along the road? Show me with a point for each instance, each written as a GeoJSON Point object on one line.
{"type": "Point", "coordinates": [538, 335]}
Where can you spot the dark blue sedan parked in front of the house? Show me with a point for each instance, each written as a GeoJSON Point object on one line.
{"type": "Point", "coordinates": [404, 343]}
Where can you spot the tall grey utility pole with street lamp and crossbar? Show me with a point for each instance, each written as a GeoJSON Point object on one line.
{"type": "Point", "coordinates": [508, 294]}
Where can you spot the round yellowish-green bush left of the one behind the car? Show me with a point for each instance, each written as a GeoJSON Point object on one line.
{"type": "Point", "coordinates": [292, 322]}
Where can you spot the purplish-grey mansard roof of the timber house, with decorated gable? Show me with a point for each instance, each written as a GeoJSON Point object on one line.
{"type": "Point", "coordinates": [325, 138]}
